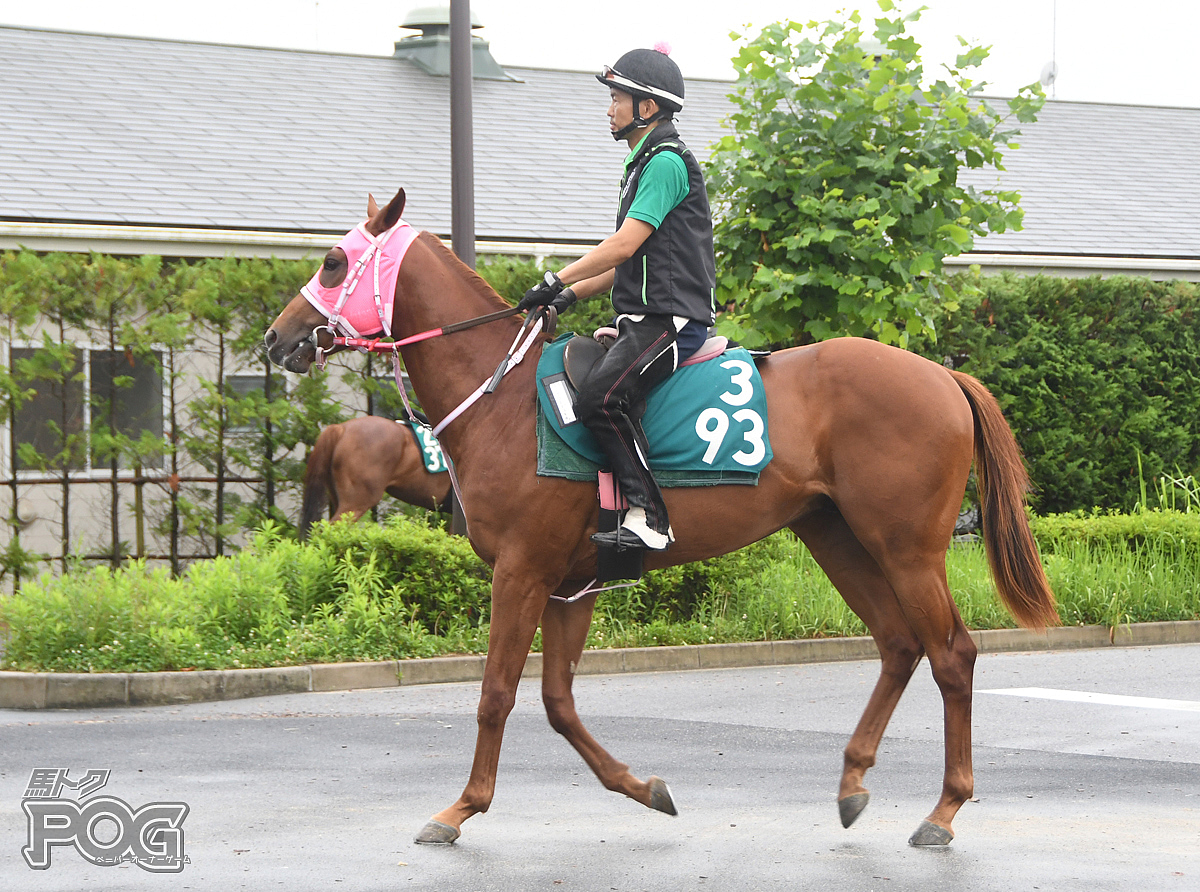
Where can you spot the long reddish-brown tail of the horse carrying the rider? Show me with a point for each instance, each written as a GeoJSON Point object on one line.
{"type": "Point", "coordinates": [1004, 482]}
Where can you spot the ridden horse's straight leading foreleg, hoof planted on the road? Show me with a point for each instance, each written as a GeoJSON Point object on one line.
{"type": "Point", "coordinates": [518, 601]}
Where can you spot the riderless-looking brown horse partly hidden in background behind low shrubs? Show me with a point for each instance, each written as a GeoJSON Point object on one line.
{"type": "Point", "coordinates": [355, 464]}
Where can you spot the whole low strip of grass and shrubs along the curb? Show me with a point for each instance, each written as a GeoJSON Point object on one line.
{"type": "Point", "coordinates": [405, 589]}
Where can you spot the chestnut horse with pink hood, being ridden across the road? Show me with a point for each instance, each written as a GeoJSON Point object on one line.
{"type": "Point", "coordinates": [873, 447]}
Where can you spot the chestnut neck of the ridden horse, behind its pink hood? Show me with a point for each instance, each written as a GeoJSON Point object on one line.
{"type": "Point", "coordinates": [434, 292]}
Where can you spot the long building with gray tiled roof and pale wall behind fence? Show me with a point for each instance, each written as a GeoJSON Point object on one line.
{"type": "Point", "coordinates": [128, 146]}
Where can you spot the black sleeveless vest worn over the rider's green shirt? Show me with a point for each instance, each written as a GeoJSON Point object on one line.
{"type": "Point", "coordinates": [674, 272]}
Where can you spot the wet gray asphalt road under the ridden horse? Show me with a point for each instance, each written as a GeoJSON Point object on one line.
{"type": "Point", "coordinates": [1093, 782]}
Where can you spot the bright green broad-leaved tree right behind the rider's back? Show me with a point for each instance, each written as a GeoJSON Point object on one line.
{"type": "Point", "coordinates": [837, 196]}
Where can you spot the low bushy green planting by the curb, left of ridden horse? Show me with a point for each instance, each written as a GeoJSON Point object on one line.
{"type": "Point", "coordinates": [351, 592]}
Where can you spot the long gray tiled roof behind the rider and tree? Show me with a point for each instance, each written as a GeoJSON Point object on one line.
{"type": "Point", "coordinates": [173, 134]}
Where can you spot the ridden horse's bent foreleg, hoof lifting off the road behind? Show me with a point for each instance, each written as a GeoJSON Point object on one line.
{"type": "Point", "coordinates": [565, 632]}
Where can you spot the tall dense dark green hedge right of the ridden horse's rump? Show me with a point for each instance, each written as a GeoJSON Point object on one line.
{"type": "Point", "coordinates": [1094, 375]}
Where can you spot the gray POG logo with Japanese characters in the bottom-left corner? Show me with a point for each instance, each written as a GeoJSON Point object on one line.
{"type": "Point", "coordinates": [105, 830]}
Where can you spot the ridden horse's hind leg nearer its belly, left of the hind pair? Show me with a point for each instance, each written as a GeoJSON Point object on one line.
{"type": "Point", "coordinates": [868, 592]}
